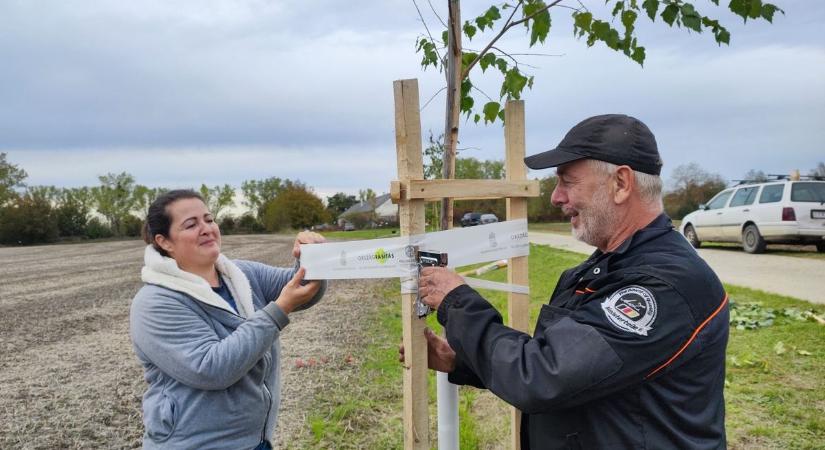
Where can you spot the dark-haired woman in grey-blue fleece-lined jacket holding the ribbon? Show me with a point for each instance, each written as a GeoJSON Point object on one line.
{"type": "Point", "coordinates": [206, 330]}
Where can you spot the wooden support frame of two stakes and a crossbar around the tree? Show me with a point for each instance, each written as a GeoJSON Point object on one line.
{"type": "Point", "coordinates": [410, 192]}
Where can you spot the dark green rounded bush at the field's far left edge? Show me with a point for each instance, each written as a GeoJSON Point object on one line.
{"type": "Point", "coordinates": [28, 220]}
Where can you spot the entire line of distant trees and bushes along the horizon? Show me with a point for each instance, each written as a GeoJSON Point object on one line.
{"type": "Point", "coordinates": [118, 205]}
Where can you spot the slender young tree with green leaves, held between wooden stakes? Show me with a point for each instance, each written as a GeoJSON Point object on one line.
{"type": "Point", "coordinates": [534, 15]}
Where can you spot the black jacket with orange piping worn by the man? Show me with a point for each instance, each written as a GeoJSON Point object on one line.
{"type": "Point", "coordinates": [629, 352]}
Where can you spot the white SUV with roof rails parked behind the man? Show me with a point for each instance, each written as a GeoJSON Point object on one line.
{"type": "Point", "coordinates": [777, 212]}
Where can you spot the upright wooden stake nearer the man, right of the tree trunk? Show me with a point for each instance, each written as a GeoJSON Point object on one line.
{"type": "Point", "coordinates": [518, 305]}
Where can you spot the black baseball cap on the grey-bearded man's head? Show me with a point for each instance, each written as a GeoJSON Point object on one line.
{"type": "Point", "coordinates": [614, 138]}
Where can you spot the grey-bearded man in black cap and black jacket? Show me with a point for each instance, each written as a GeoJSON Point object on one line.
{"type": "Point", "coordinates": [630, 350]}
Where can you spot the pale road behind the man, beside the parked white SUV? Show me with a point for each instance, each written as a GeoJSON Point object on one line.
{"type": "Point", "coordinates": [785, 275]}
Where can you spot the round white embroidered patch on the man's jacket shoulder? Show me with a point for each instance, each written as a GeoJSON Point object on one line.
{"type": "Point", "coordinates": [631, 309]}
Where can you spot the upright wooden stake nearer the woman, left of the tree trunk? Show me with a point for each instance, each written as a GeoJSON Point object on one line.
{"type": "Point", "coordinates": [411, 219]}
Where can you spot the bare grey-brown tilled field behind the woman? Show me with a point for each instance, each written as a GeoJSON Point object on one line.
{"type": "Point", "coordinates": [68, 377]}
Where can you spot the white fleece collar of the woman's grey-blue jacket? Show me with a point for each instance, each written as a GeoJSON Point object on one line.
{"type": "Point", "coordinates": [164, 271]}
